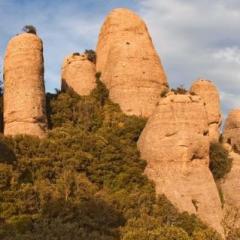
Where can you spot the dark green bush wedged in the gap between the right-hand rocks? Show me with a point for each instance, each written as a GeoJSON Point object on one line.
{"type": "Point", "coordinates": [220, 162]}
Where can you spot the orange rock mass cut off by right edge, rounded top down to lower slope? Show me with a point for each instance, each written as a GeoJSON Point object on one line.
{"type": "Point", "coordinates": [231, 183]}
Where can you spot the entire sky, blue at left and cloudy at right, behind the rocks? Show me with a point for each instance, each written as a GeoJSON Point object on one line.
{"type": "Point", "coordinates": [195, 39]}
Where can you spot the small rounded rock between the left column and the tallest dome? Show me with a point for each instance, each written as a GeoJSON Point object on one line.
{"type": "Point", "coordinates": [78, 74]}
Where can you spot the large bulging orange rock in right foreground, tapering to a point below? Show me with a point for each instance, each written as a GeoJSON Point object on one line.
{"type": "Point", "coordinates": [176, 147]}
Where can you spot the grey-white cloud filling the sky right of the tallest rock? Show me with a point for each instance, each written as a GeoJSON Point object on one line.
{"type": "Point", "coordinates": [198, 39]}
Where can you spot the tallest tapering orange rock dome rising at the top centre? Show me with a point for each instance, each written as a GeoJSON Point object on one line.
{"type": "Point", "coordinates": [130, 66]}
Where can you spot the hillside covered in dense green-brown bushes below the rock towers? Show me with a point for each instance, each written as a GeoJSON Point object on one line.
{"type": "Point", "coordinates": [85, 180]}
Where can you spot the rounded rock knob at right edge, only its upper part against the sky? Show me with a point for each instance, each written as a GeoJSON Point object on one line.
{"type": "Point", "coordinates": [231, 133]}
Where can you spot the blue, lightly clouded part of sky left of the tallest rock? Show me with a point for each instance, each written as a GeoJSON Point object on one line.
{"type": "Point", "coordinates": [64, 26]}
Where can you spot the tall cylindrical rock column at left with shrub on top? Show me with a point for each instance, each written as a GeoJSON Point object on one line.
{"type": "Point", "coordinates": [24, 91]}
